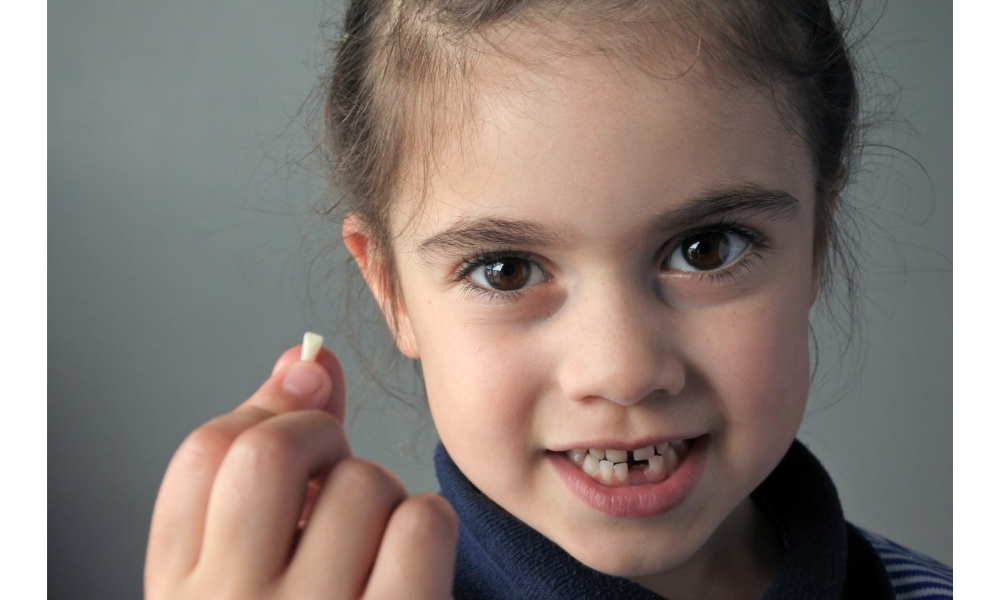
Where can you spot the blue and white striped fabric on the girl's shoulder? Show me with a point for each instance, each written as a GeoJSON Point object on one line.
{"type": "Point", "coordinates": [914, 576]}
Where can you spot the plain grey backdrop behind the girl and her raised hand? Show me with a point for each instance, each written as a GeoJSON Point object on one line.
{"type": "Point", "coordinates": [178, 246]}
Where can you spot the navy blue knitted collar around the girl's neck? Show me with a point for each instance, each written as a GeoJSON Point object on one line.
{"type": "Point", "coordinates": [825, 558]}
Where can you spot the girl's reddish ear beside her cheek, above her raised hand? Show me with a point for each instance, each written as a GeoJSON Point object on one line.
{"type": "Point", "coordinates": [361, 247]}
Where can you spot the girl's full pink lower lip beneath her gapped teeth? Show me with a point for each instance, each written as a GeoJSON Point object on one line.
{"type": "Point", "coordinates": [636, 501]}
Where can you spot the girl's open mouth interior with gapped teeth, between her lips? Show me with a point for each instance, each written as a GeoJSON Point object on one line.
{"type": "Point", "coordinates": [616, 468]}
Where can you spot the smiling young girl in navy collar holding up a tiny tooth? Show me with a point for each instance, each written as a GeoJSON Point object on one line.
{"type": "Point", "coordinates": [600, 227]}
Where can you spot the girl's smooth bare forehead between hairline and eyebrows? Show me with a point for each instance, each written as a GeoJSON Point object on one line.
{"type": "Point", "coordinates": [588, 147]}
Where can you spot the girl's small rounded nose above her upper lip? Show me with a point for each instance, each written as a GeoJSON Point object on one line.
{"type": "Point", "coordinates": [617, 346]}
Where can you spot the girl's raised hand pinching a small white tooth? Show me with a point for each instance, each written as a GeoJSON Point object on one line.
{"type": "Point", "coordinates": [268, 502]}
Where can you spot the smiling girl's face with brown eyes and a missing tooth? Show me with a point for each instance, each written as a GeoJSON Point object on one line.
{"type": "Point", "coordinates": [614, 262]}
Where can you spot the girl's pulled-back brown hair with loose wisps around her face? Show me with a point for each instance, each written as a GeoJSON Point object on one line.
{"type": "Point", "coordinates": [402, 65]}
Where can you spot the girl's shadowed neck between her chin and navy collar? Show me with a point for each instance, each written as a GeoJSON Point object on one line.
{"type": "Point", "coordinates": [738, 562]}
